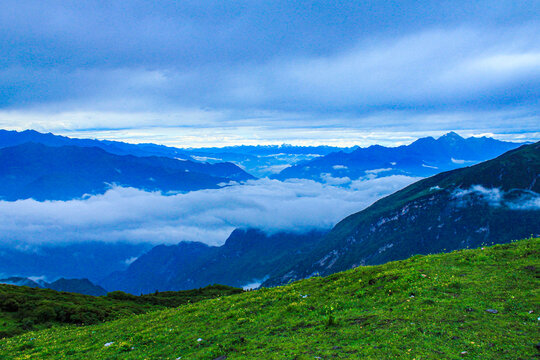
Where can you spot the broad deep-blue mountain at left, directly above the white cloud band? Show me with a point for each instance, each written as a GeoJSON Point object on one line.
{"type": "Point", "coordinates": [32, 170]}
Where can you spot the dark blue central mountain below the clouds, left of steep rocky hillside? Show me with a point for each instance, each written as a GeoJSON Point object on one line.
{"type": "Point", "coordinates": [247, 257]}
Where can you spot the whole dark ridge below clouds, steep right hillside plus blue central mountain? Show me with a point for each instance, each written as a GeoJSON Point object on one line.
{"type": "Point", "coordinates": [491, 202]}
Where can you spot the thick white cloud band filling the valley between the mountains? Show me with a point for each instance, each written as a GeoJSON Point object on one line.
{"type": "Point", "coordinates": [130, 215]}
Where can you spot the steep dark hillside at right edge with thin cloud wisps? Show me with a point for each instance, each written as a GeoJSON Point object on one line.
{"type": "Point", "coordinates": [491, 202]}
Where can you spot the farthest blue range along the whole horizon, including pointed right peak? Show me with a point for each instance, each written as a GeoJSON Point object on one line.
{"type": "Point", "coordinates": [424, 157]}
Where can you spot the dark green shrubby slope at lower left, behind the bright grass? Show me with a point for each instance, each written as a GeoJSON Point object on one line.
{"type": "Point", "coordinates": [23, 309]}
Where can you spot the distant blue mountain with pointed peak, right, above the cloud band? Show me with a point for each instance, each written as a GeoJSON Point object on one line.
{"type": "Point", "coordinates": [424, 157]}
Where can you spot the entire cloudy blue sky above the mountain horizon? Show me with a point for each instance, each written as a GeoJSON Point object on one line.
{"type": "Point", "coordinates": [211, 73]}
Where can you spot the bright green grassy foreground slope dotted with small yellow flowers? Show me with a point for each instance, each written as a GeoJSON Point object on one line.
{"type": "Point", "coordinates": [426, 307]}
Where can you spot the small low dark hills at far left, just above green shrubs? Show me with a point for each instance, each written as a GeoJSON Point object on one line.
{"type": "Point", "coordinates": [79, 286]}
